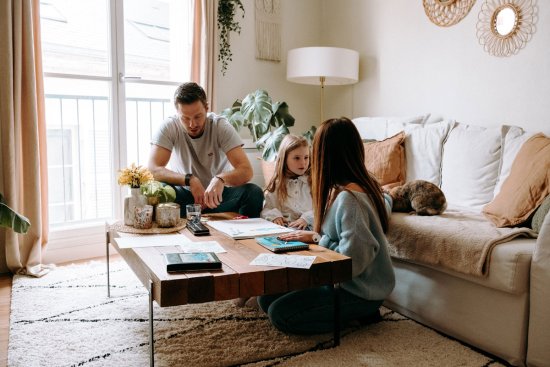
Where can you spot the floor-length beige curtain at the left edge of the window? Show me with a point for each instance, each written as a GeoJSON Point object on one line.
{"type": "Point", "coordinates": [23, 134]}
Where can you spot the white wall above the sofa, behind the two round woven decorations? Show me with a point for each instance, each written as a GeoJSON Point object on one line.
{"type": "Point", "coordinates": [411, 66]}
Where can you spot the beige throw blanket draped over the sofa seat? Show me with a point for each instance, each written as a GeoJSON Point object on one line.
{"type": "Point", "coordinates": [455, 240]}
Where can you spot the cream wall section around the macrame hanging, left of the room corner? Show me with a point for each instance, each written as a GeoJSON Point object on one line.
{"type": "Point", "coordinates": [301, 26]}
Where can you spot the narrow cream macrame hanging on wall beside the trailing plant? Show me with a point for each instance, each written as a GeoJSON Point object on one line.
{"type": "Point", "coordinates": [268, 29]}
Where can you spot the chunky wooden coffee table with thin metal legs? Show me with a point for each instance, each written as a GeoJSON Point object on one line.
{"type": "Point", "coordinates": [236, 279]}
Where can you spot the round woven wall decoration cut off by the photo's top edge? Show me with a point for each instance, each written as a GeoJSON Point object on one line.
{"type": "Point", "coordinates": [446, 13]}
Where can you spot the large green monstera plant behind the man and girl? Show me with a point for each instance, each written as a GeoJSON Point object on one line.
{"type": "Point", "coordinates": [268, 122]}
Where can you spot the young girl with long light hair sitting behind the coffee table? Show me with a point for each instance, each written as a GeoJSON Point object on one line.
{"type": "Point", "coordinates": [288, 194]}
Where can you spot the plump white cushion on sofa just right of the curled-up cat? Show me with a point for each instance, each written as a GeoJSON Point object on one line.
{"type": "Point", "coordinates": [469, 170]}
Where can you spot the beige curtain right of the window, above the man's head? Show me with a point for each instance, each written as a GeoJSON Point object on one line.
{"type": "Point", "coordinates": [204, 48]}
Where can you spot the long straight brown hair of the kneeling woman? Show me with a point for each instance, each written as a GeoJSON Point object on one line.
{"type": "Point", "coordinates": [338, 159]}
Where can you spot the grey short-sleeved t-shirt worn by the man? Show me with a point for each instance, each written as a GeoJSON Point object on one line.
{"type": "Point", "coordinates": [203, 157]}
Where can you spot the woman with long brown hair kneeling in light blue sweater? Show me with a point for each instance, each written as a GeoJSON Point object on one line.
{"type": "Point", "coordinates": [351, 217]}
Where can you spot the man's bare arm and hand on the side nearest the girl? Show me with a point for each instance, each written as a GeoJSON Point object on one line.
{"type": "Point", "coordinates": [241, 174]}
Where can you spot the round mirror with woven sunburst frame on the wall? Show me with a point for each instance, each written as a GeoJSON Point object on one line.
{"type": "Point", "coordinates": [505, 26]}
